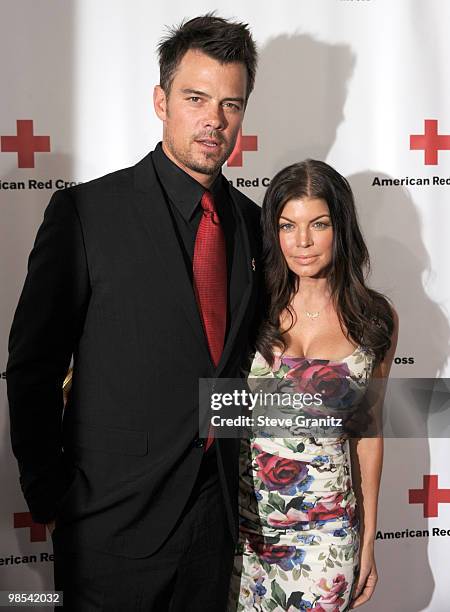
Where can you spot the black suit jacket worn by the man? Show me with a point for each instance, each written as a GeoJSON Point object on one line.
{"type": "Point", "coordinates": [107, 283]}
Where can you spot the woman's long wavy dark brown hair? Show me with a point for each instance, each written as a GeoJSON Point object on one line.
{"type": "Point", "coordinates": [364, 314]}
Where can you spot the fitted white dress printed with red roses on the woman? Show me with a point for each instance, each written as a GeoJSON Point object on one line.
{"type": "Point", "coordinates": [299, 532]}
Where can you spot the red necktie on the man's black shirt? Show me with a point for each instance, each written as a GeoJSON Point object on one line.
{"type": "Point", "coordinates": [210, 281]}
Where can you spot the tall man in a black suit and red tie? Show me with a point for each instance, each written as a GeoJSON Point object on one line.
{"type": "Point", "coordinates": [149, 278]}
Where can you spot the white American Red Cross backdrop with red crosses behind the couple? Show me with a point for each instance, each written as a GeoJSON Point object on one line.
{"type": "Point", "coordinates": [361, 84]}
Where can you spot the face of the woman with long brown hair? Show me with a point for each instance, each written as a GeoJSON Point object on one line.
{"type": "Point", "coordinates": [306, 236]}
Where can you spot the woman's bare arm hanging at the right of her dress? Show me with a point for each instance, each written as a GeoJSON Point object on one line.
{"type": "Point", "coordinates": [366, 460]}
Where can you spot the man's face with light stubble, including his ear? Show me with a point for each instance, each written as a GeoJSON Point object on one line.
{"type": "Point", "coordinates": [202, 114]}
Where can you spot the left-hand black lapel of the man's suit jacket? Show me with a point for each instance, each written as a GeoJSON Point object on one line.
{"type": "Point", "coordinates": [153, 210]}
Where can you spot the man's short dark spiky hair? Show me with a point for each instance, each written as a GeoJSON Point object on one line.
{"type": "Point", "coordinates": [221, 39]}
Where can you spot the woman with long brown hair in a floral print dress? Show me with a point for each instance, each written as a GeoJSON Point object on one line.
{"type": "Point", "coordinates": [307, 531]}
